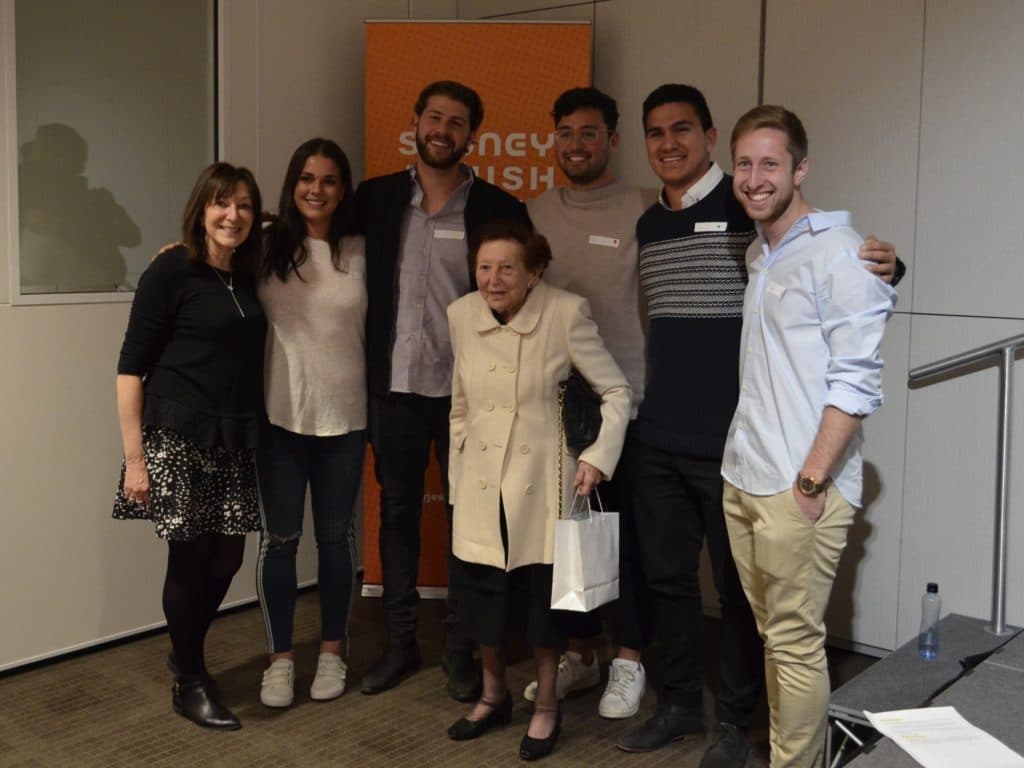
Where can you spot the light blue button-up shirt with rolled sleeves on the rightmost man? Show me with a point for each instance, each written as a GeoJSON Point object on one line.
{"type": "Point", "coordinates": [814, 319]}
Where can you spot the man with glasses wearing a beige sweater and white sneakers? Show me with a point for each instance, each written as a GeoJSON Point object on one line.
{"type": "Point", "coordinates": [591, 226]}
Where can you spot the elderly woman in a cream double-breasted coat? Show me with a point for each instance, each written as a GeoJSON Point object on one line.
{"type": "Point", "coordinates": [514, 342]}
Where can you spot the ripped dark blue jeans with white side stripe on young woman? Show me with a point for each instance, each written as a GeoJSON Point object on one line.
{"type": "Point", "coordinates": [332, 468]}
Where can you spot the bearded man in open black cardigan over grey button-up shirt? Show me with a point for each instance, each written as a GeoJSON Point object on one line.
{"type": "Point", "coordinates": [417, 225]}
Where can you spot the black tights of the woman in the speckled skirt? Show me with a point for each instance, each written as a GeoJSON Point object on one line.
{"type": "Point", "coordinates": [199, 574]}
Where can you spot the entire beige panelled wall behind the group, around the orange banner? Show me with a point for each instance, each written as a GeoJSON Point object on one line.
{"type": "Point", "coordinates": [911, 129]}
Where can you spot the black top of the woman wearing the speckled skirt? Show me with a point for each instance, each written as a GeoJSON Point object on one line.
{"type": "Point", "coordinates": [201, 361]}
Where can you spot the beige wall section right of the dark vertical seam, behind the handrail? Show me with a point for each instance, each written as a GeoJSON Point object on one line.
{"type": "Point", "coordinates": [915, 113]}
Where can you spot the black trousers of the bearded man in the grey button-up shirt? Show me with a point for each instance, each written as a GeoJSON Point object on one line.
{"type": "Point", "coordinates": [402, 430]}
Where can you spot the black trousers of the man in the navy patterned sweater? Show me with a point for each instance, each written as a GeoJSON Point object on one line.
{"type": "Point", "coordinates": [677, 505]}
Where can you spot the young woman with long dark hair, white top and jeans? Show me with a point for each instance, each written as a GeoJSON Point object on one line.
{"type": "Point", "coordinates": [313, 288]}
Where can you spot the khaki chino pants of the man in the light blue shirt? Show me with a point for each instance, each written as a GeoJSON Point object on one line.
{"type": "Point", "coordinates": [787, 567]}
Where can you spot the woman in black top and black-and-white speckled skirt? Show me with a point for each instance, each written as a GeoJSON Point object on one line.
{"type": "Point", "coordinates": [190, 402]}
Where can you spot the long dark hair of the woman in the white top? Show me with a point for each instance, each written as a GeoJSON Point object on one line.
{"type": "Point", "coordinates": [286, 250]}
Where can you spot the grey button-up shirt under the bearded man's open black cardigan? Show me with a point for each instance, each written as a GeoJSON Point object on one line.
{"type": "Point", "coordinates": [433, 273]}
